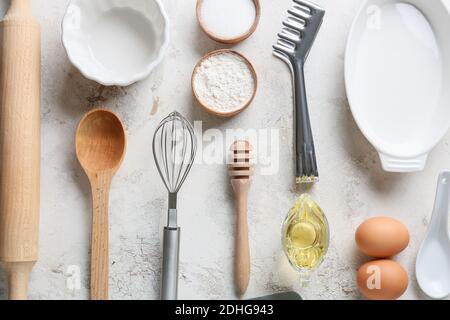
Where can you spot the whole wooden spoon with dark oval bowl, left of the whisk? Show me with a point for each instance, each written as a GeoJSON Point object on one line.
{"type": "Point", "coordinates": [100, 148]}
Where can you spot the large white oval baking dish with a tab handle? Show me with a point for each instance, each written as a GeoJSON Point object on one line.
{"type": "Point", "coordinates": [397, 76]}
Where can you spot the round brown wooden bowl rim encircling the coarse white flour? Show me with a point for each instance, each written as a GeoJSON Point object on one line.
{"type": "Point", "coordinates": [208, 108]}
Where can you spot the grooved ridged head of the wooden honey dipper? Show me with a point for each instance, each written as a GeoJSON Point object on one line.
{"type": "Point", "coordinates": [241, 167]}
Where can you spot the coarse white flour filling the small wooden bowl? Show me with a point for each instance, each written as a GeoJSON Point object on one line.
{"type": "Point", "coordinates": [224, 82]}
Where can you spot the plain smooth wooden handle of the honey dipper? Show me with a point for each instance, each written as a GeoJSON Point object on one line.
{"type": "Point", "coordinates": [242, 250]}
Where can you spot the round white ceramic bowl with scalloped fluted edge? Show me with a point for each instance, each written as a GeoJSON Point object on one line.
{"type": "Point", "coordinates": [115, 42]}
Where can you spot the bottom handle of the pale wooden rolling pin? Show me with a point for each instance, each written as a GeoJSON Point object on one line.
{"type": "Point", "coordinates": [18, 276]}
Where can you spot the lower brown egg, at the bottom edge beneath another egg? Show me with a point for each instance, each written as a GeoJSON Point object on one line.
{"type": "Point", "coordinates": [382, 280]}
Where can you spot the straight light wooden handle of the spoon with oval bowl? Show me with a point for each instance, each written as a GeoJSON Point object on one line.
{"type": "Point", "coordinates": [100, 237]}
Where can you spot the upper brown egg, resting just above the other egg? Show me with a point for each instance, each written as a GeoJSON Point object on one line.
{"type": "Point", "coordinates": [382, 237]}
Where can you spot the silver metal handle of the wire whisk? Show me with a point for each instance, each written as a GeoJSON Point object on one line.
{"type": "Point", "coordinates": [171, 246]}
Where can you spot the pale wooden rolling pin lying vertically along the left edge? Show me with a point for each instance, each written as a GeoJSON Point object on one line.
{"type": "Point", "coordinates": [19, 145]}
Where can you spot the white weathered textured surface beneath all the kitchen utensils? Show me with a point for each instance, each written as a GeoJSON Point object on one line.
{"type": "Point", "coordinates": [353, 186]}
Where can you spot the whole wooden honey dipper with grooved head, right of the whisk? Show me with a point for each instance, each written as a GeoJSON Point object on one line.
{"type": "Point", "coordinates": [240, 171]}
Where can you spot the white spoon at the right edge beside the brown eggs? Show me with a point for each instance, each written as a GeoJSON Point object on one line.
{"type": "Point", "coordinates": [433, 260]}
